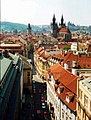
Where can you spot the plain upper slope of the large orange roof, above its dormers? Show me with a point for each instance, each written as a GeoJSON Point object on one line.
{"type": "Point", "coordinates": [64, 76]}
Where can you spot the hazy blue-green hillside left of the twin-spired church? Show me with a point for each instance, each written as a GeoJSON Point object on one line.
{"type": "Point", "coordinates": [9, 26]}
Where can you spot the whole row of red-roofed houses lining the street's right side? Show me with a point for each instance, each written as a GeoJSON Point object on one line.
{"type": "Point", "coordinates": [68, 82]}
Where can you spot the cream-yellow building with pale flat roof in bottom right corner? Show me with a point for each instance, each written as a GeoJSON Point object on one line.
{"type": "Point", "coordinates": [84, 99]}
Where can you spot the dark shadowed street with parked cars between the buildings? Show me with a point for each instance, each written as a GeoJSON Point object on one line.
{"type": "Point", "coordinates": [35, 105]}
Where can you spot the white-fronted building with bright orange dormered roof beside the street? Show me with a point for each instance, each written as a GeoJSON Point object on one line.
{"type": "Point", "coordinates": [61, 93]}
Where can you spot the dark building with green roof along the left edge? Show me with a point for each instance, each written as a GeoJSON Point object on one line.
{"type": "Point", "coordinates": [11, 86]}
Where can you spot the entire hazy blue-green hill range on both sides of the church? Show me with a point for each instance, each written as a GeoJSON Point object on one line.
{"type": "Point", "coordinates": [9, 26]}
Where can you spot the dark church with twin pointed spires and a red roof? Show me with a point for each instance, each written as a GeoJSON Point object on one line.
{"type": "Point", "coordinates": [61, 31]}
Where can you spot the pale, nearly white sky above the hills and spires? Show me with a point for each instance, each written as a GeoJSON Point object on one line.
{"type": "Point", "coordinates": [40, 12]}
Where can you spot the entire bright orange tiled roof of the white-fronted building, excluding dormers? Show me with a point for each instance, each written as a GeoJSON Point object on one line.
{"type": "Point", "coordinates": [67, 81]}
